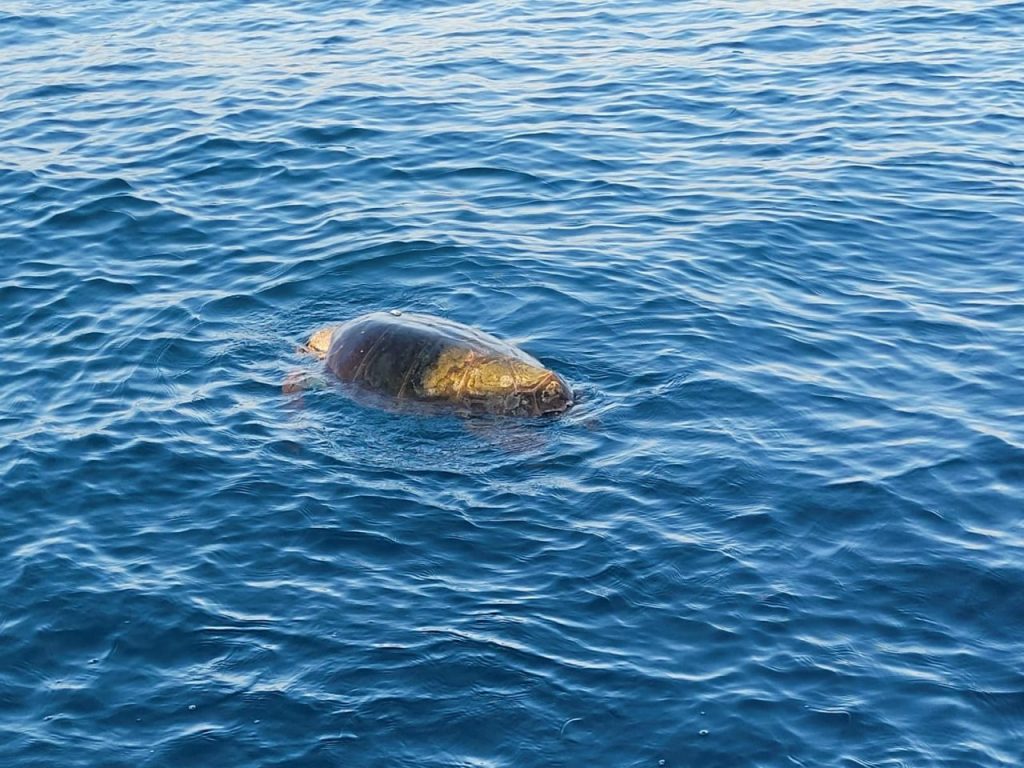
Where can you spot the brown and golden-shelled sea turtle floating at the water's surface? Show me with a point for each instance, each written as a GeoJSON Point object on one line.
{"type": "Point", "coordinates": [423, 359]}
